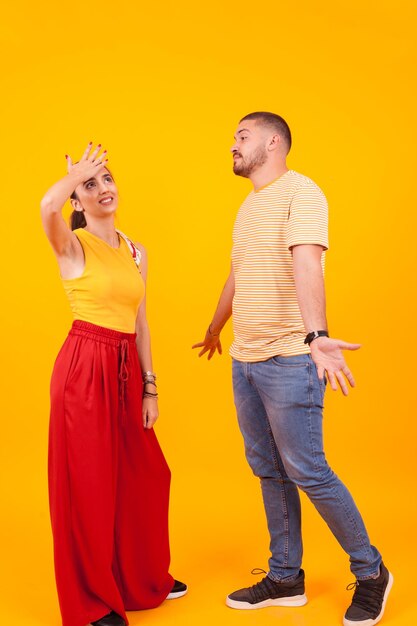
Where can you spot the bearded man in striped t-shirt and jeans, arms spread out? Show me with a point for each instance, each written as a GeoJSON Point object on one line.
{"type": "Point", "coordinates": [282, 356]}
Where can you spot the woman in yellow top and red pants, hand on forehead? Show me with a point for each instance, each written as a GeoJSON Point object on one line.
{"type": "Point", "coordinates": [108, 479]}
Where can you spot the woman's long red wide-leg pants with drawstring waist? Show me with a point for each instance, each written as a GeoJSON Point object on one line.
{"type": "Point", "coordinates": [108, 481]}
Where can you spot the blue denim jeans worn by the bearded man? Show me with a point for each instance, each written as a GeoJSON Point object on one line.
{"type": "Point", "coordinates": [279, 405]}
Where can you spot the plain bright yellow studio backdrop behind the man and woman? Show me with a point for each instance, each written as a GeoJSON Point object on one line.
{"type": "Point", "coordinates": [163, 86]}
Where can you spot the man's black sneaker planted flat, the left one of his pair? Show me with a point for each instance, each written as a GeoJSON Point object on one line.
{"type": "Point", "coordinates": [269, 593]}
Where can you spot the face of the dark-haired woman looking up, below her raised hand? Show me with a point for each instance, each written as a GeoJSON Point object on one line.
{"type": "Point", "coordinates": [98, 196]}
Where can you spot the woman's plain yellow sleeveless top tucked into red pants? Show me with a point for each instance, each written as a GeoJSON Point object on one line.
{"type": "Point", "coordinates": [110, 289]}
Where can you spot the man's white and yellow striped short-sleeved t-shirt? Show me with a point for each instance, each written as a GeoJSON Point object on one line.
{"type": "Point", "coordinates": [267, 321]}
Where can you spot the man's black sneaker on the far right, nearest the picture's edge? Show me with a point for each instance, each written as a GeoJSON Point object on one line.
{"type": "Point", "coordinates": [368, 602]}
